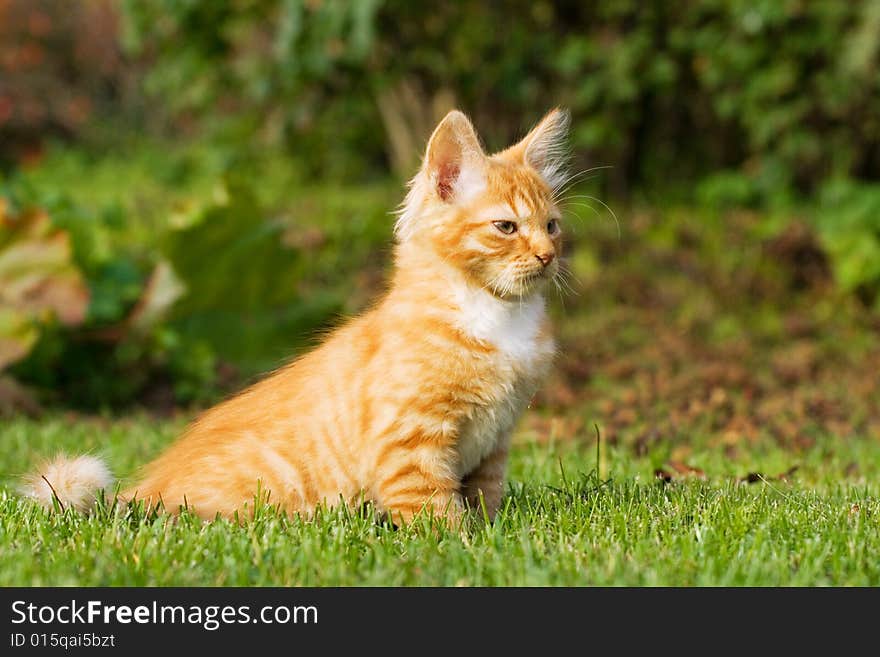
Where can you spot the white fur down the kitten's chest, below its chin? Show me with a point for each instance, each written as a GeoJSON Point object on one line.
{"type": "Point", "coordinates": [522, 353]}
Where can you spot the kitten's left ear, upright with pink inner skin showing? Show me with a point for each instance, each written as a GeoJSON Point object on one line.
{"type": "Point", "coordinates": [454, 159]}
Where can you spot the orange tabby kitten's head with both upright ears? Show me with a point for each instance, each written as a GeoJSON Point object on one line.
{"type": "Point", "coordinates": [493, 217]}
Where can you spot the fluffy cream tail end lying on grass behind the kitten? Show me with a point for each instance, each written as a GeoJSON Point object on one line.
{"type": "Point", "coordinates": [73, 482]}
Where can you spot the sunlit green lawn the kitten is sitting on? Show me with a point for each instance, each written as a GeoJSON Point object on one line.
{"type": "Point", "coordinates": [560, 524]}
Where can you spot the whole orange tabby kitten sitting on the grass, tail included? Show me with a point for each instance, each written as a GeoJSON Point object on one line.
{"type": "Point", "coordinates": [410, 405]}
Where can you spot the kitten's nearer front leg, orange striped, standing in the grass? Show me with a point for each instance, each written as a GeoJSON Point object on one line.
{"type": "Point", "coordinates": [416, 476]}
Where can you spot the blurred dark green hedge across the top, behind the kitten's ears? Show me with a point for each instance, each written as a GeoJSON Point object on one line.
{"type": "Point", "coordinates": [783, 90]}
